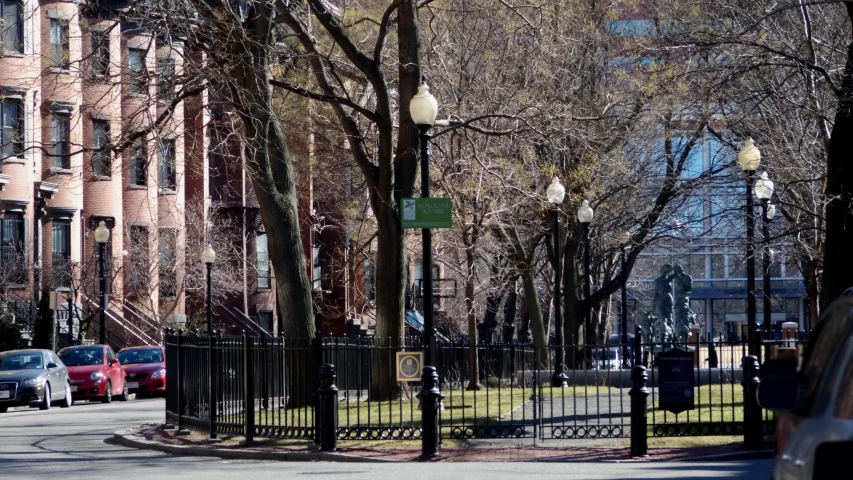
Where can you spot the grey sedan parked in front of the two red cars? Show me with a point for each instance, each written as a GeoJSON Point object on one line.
{"type": "Point", "coordinates": [33, 377]}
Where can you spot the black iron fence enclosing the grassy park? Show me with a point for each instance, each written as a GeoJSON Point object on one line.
{"type": "Point", "coordinates": [275, 388]}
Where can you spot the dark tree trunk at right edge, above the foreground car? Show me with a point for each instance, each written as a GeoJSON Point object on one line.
{"type": "Point", "coordinates": [838, 263]}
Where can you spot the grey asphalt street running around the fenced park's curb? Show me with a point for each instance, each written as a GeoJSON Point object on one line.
{"type": "Point", "coordinates": [74, 443]}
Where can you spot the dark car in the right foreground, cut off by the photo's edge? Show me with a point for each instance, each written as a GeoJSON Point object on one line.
{"type": "Point", "coordinates": [814, 403]}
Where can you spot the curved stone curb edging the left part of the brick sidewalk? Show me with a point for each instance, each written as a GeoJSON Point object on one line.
{"type": "Point", "coordinates": [122, 437]}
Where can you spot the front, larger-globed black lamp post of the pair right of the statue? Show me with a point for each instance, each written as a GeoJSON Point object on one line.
{"type": "Point", "coordinates": [749, 158]}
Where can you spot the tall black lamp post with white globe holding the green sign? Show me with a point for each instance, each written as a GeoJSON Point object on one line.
{"type": "Point", "coordinates": [424, 108]}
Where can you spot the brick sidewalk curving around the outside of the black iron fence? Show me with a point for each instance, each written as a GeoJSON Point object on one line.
{"type": "Point", "coordinates": [154, 437]}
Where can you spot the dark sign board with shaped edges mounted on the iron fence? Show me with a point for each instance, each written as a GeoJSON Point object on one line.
{"type": "Point", "coordinates": [676, 381]}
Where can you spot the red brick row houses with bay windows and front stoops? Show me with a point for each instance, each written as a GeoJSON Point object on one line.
{"type": "Point", "coordinates": [73, 85]}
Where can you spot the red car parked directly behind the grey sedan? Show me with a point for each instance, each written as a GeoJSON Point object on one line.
{"type": "Point", "coordinates": [95, 373]}
